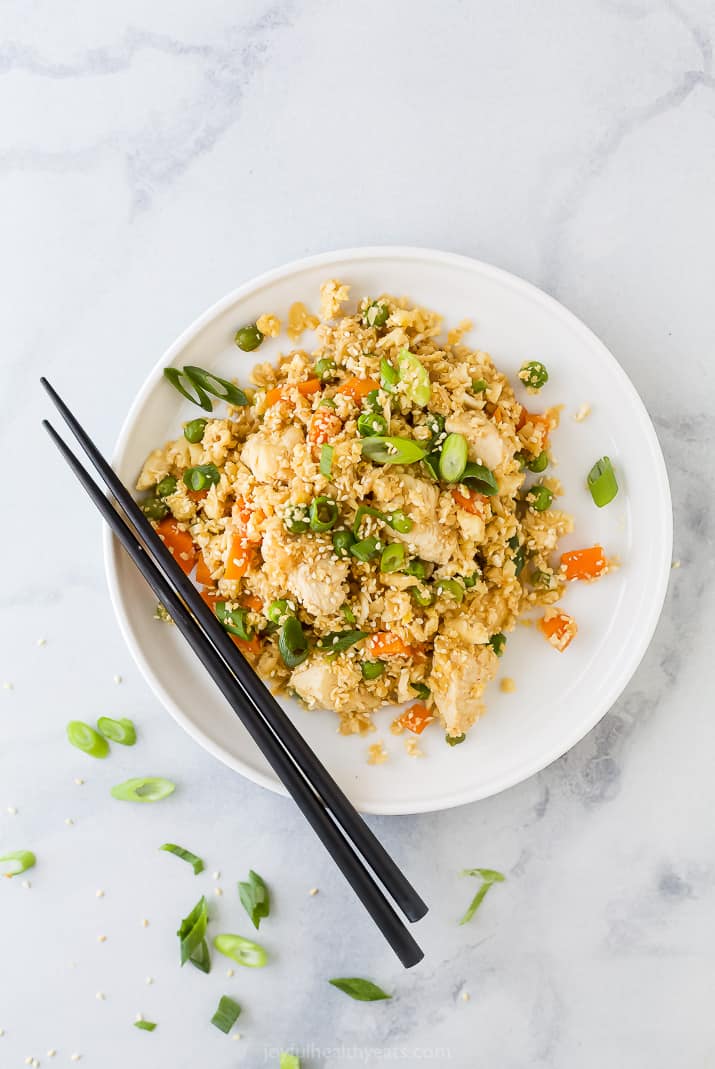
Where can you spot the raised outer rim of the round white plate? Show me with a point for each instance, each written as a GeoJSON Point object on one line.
{"type": "Point", "coordinates": [556, 308]}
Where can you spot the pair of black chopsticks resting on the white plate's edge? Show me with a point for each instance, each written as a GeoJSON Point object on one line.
{"type": "Point", "coordinates": [330, 813]}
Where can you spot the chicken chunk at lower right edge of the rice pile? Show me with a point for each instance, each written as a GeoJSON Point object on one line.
{"type": "Point", "coordinates": [459, 677]}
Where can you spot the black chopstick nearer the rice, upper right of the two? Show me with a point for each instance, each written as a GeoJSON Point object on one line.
{"type": "Point", "coordinates": [388, 873]}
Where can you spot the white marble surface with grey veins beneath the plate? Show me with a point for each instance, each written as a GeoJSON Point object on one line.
{"type": "Point", "coordinates": [153, 157]}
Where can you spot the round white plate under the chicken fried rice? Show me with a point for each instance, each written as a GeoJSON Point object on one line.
{"type": "Point", "coordinates": [558, 698]}
